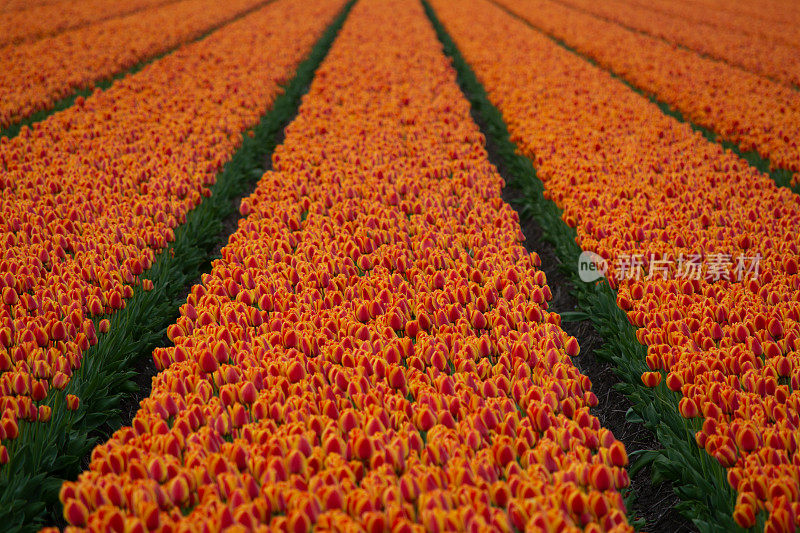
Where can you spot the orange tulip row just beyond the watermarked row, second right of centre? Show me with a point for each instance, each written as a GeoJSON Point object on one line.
{"type": "Point", "coordinates": [743, 108]}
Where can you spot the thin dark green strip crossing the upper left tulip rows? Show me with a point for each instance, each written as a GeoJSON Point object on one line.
{"type": "Point", "coordinates": [103, 84]}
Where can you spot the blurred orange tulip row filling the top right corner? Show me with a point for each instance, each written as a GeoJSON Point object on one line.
{"type": "Point", "coordinates": [765, 19]}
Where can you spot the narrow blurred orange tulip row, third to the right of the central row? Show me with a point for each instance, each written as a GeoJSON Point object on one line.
{"type": "Point", "coordinates": [763, 56]}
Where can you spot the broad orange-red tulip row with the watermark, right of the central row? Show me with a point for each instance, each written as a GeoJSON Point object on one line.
{"type": "Point", "coordinates": [635, 182]}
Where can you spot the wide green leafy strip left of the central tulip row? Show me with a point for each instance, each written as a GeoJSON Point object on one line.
{"type": "Point", "coordinates": [46, 454]}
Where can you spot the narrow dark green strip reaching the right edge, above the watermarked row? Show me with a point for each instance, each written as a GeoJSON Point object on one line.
{"type": "Point", "coordinates": [782, 177]}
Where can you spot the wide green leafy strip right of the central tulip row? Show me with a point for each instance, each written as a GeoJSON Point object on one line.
{"type": "Point", "coordinates": [707, 499]}
